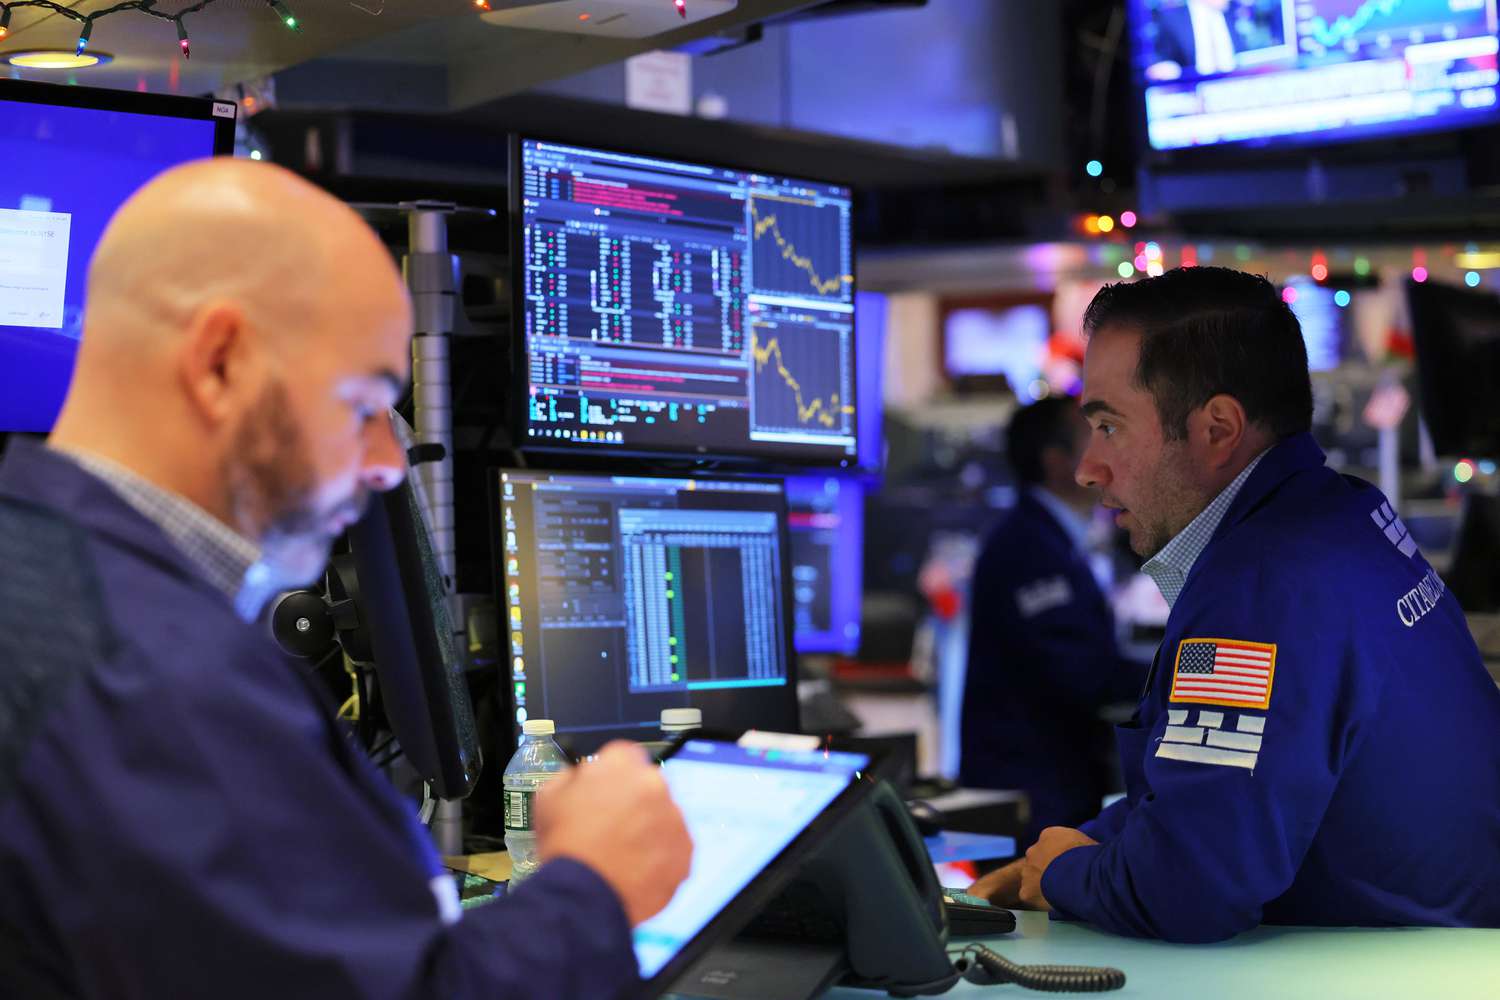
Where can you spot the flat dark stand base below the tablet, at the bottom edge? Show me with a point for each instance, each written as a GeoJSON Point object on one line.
{"type": "Point", "coordinates": [755, 969]}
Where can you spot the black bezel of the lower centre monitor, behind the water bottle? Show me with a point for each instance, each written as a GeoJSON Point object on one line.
{"type": "Point", "coordinates": [499, 567]}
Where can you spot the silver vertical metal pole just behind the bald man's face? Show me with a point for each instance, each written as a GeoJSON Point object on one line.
{"type": "Point", "coordinates": [430, 272]}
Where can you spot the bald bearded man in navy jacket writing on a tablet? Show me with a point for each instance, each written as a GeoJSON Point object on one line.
{"type": "Point", "coordinates": [181, 813]}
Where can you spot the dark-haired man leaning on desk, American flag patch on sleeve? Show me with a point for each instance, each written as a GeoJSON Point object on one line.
{"type": "Point", "coordinates": [1318, 743]}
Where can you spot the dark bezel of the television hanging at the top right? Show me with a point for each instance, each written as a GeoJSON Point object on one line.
{"type": "Point", "coordinates": [1295, 146]}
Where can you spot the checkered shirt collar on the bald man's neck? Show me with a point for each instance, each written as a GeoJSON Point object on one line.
{"type": "Point", "coordinates": [221, 554]}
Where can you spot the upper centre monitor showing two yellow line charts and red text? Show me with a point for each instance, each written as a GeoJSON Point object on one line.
{"type": "Point", "coordinates": [674, 308]}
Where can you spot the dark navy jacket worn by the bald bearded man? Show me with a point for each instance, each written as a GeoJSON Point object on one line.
{"type": "Point", "coordinates": [182, 815]}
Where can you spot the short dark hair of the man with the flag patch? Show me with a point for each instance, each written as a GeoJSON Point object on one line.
{"type": "Point", "coordinates": [1210, 331]}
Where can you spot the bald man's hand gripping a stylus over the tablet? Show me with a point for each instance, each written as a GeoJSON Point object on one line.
{"type": "Point", "coordinates": [616, 816]}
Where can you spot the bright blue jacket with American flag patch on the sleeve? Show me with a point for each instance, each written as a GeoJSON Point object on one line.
{"type": "Point", "coordinates": [1319, 743]}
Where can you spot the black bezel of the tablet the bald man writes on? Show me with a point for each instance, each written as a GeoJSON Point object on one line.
{"type": "Point", "coordinates": [766, 885]}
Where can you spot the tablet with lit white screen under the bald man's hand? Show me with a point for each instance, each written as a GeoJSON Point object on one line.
{"type": "Point", "coordinates": [754, 815]}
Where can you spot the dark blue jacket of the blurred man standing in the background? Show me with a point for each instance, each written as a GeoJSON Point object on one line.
{"type": "Point", "coordinates": [1043, 660]}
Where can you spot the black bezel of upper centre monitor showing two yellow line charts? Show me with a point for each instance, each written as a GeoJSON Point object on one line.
{"type": "Point", "coordinates": [703, 457]}
